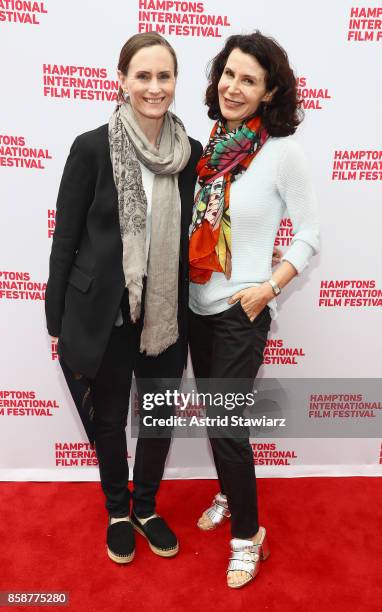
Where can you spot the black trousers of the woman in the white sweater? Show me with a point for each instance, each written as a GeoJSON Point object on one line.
{"type": "Point", "coordinates": [224, 347]}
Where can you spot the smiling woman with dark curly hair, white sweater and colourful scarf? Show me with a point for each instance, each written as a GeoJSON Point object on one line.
{"type": "Point", "coordinates": [251, 173]}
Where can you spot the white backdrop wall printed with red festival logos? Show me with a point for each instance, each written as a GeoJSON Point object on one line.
{"type": "Point", "coordinates": [58, 79]}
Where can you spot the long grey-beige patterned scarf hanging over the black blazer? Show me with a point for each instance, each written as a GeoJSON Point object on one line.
{"type": "Point", "coordinates": [128, 144]}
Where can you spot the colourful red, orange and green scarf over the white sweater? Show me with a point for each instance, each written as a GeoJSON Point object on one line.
{"type": "Point", "coordinates": [225, 158]}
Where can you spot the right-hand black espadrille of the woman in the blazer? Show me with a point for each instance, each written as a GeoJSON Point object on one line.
{"type": "Point", "coordinates": [162, 540]}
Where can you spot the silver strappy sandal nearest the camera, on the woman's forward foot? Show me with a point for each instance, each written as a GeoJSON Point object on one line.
{"type": "Point", "coordinates": [246, 557]}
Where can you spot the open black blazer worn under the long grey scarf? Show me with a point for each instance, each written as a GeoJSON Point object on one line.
{"type": "Point", "coordinates": [86, 280]}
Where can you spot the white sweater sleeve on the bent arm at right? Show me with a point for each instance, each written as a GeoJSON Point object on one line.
{"type": "Point", "coordinates": [295, 186]}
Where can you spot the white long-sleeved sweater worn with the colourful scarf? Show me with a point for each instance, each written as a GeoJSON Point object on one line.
{"type": "Point", "coordinates": [276, 183]}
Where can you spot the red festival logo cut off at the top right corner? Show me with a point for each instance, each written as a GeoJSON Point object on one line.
{"type": "Point", "coordinates": [365, 24]}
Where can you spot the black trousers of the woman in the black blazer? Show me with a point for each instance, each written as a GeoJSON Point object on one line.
{"type": "Point", "coordinates": [111, 393]}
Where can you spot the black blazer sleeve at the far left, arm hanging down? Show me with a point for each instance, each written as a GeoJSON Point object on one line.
{"type": "Point", "coordinates": [75, 196]}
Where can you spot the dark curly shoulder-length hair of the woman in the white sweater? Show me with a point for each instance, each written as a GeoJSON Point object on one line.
{"type": "Point", "coordinates": [283, 113]}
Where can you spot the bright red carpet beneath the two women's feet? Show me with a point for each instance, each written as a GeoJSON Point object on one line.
{"type": "Point", "coordinates": [325, 536]}
